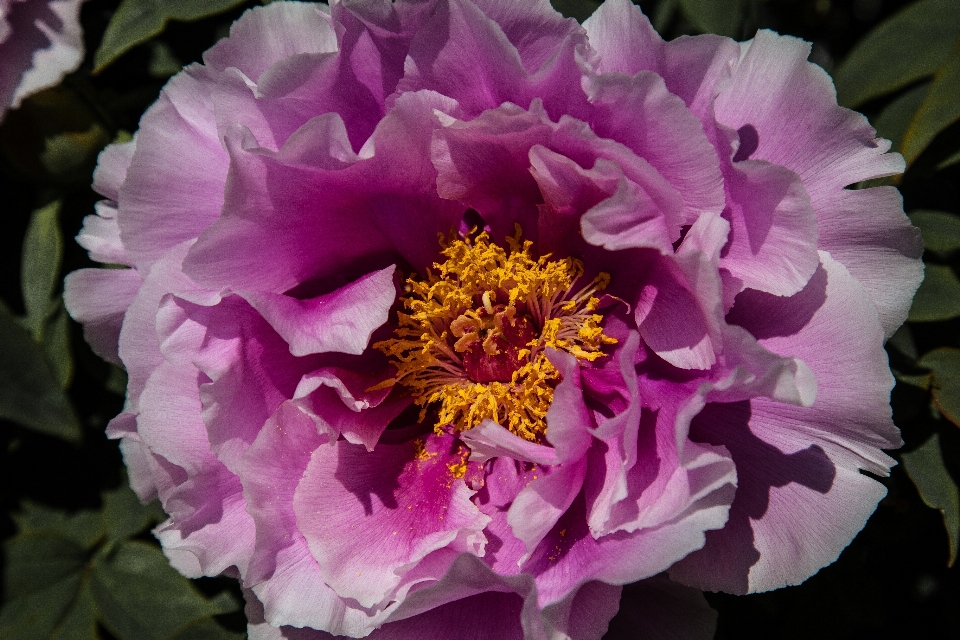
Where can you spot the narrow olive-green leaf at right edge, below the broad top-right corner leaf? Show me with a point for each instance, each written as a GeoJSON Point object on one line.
{"type": "Point", "coordinates": [940, 109]}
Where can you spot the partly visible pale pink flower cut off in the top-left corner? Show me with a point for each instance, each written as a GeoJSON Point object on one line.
{"type": "Point", "coordinates": [40, 42]}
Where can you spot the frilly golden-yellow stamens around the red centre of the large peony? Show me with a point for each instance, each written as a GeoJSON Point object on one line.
{"type": "Point", "coordinates": [472, 341]}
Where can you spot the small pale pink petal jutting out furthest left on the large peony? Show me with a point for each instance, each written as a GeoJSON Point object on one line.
{"type": "Point", "coordinates": [98, 299]}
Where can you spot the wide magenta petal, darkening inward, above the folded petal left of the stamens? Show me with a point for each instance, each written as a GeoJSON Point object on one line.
{"type": "Point", "coordinates": [248, 249]}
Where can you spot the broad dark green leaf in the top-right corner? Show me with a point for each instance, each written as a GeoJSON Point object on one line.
{"type": "Point", "coordinates": [910, 45]}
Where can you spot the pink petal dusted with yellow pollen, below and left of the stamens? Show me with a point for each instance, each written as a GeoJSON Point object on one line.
{"type": "Point", "coordinates": [369, 517]}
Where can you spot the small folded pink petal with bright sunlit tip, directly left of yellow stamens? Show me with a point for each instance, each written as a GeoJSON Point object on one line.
{"type": "Point", "coordinates": [338, 321]}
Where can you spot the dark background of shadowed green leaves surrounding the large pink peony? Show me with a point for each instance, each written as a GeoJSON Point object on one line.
{"type": "Point", "coordinates": [79, 560]}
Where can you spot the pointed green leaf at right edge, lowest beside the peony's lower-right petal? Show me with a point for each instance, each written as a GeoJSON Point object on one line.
{"type": "Point", "coordinates": [937, 489]}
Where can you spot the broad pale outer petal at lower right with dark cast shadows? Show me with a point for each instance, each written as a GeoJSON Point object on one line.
{"type": "Point", "coordinates": [801, 497]}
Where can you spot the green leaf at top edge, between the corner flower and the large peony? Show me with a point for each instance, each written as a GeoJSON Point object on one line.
{"type": "Point", "coordinates": [136, 21]}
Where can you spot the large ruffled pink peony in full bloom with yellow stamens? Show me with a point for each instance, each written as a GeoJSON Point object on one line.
{"type": "Point", "coordinates": [448, 318]}
